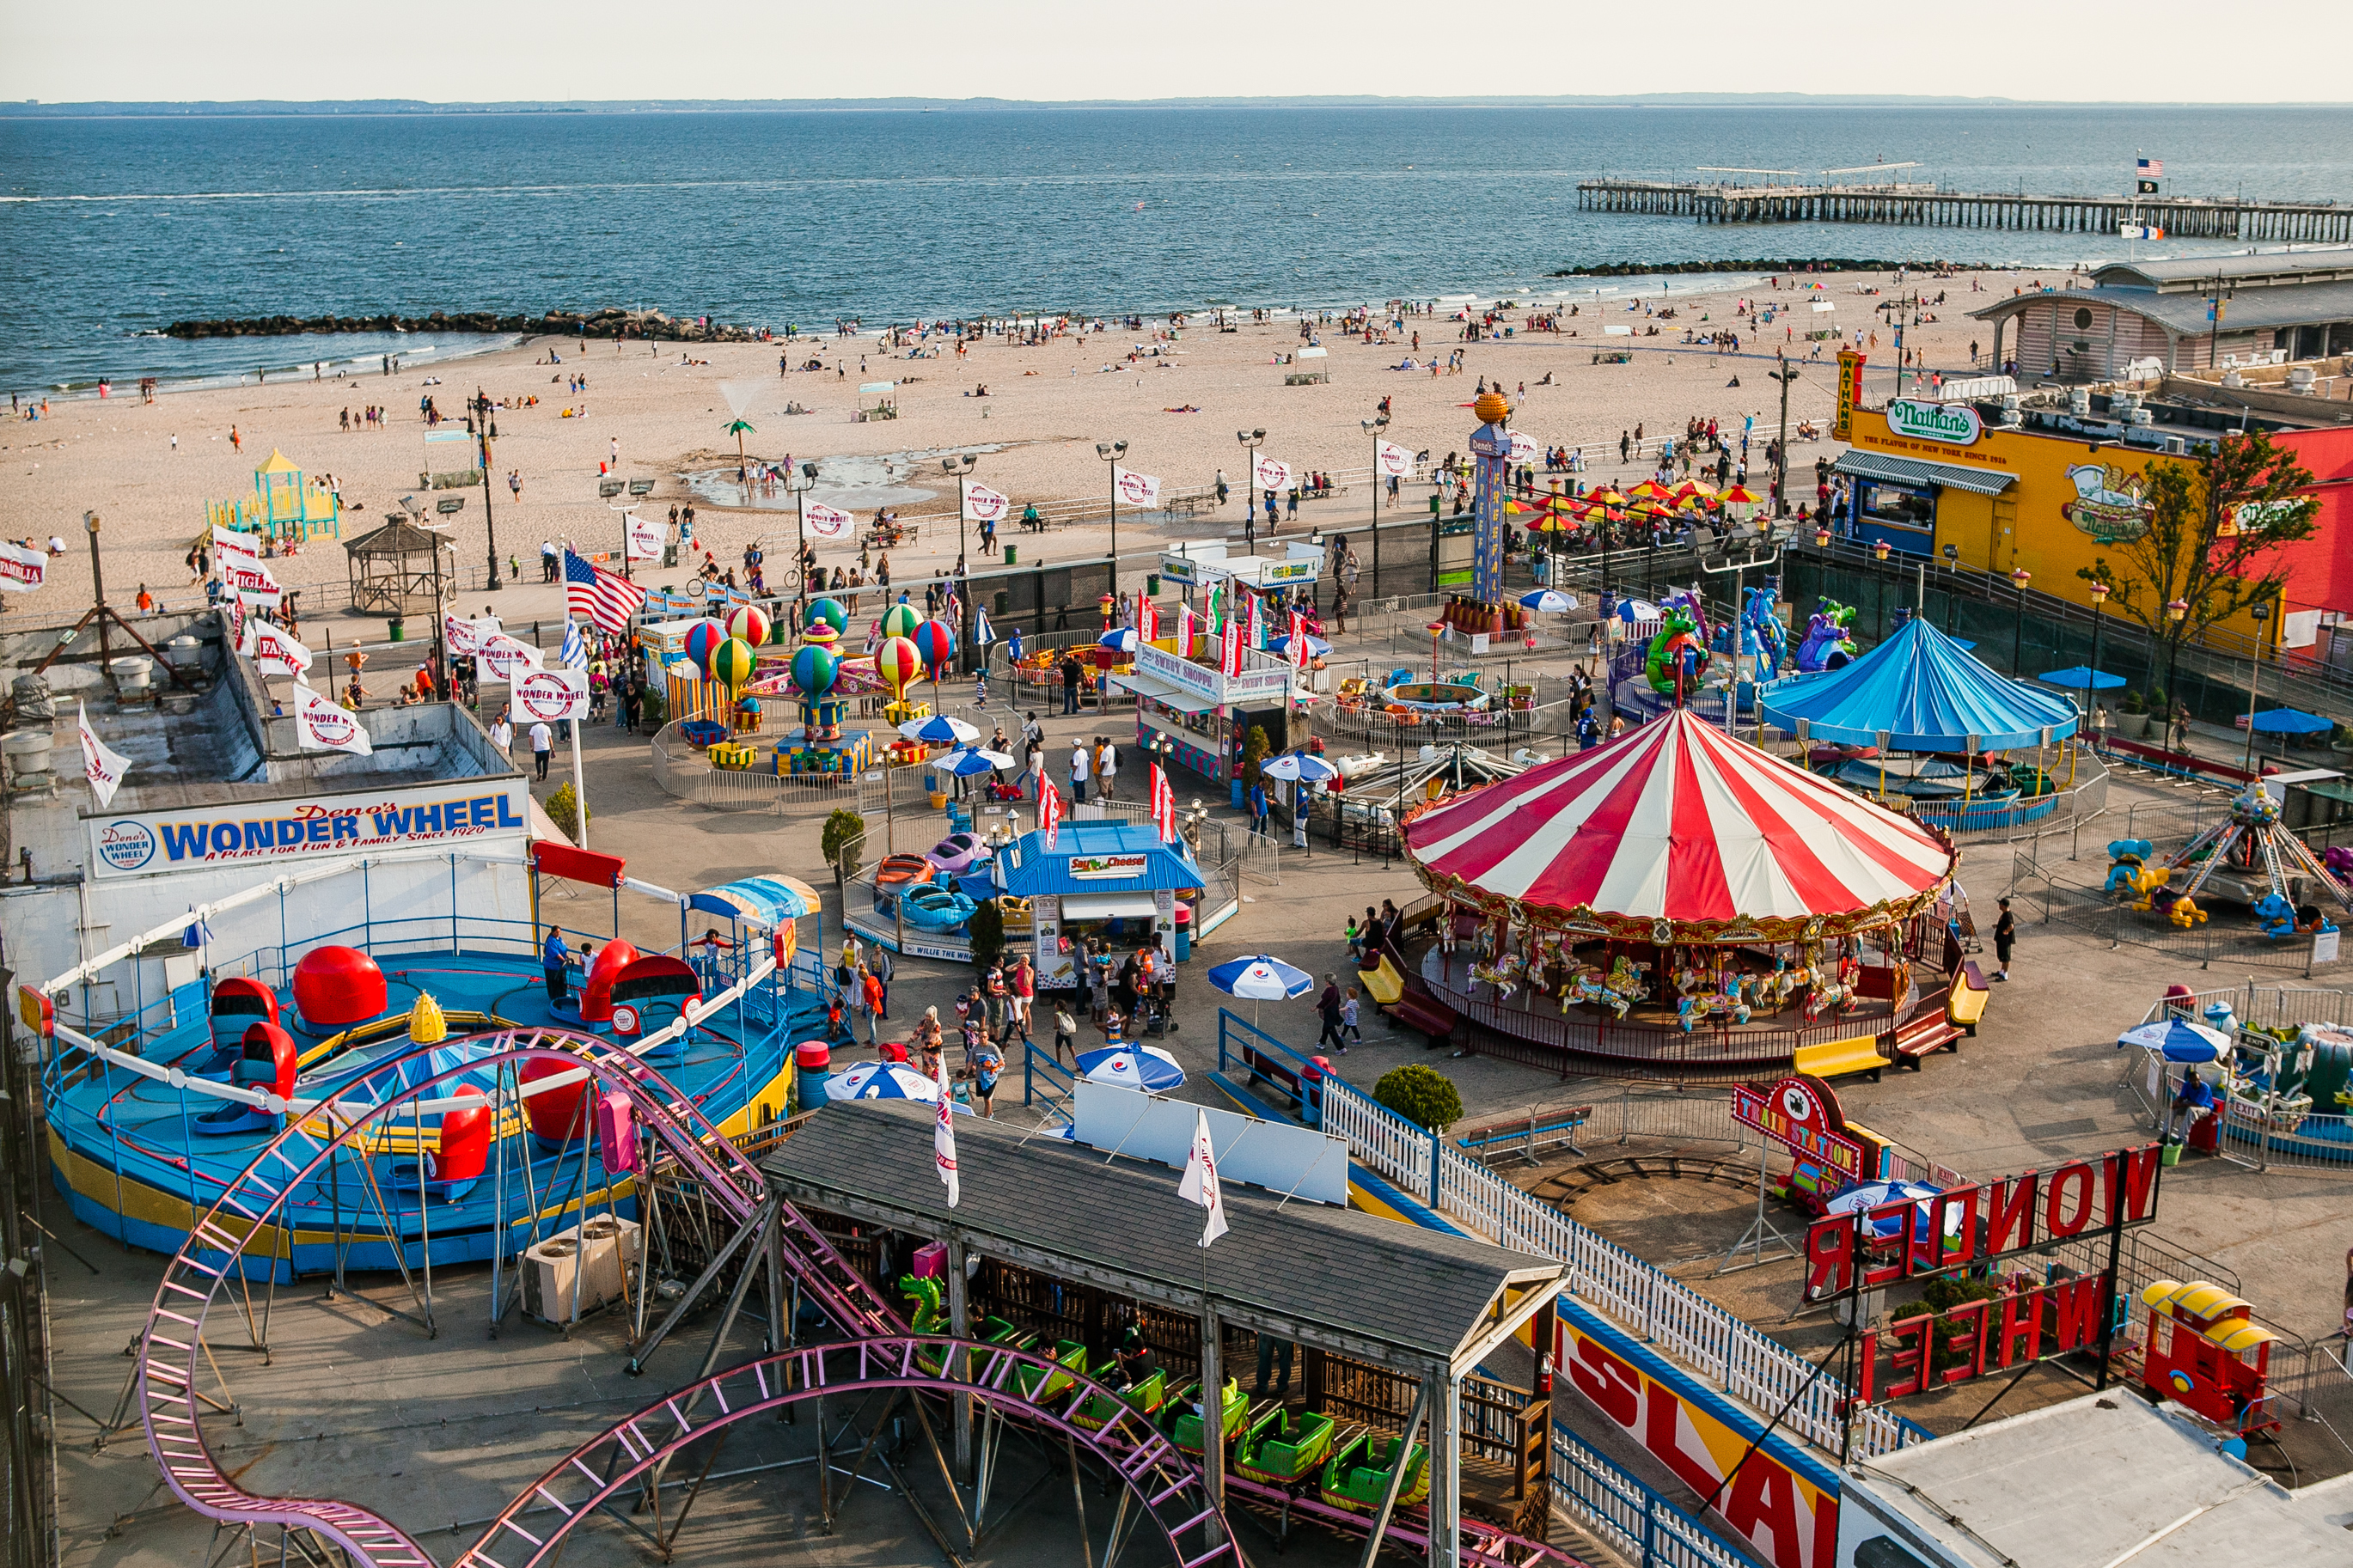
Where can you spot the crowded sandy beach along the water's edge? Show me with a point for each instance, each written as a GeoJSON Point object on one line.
{"type": "Point", "coordinates": [147, 469]}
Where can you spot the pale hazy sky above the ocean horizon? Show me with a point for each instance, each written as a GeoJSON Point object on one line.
{"type": "Point", "coordinates": [1058, 51]}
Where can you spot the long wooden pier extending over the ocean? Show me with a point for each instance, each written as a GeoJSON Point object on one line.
{"type": "Point", "coordinates": [1931, 208]}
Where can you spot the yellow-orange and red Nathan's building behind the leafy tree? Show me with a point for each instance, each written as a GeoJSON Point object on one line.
{"type": "Point", "coordinates": [2062, 488]}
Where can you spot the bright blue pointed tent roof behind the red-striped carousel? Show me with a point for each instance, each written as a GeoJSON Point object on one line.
{"type": "Point", "coordinates": [1926, 695]}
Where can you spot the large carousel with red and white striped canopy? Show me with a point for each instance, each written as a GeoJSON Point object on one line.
{"type": "Point", "coordinates": [1679, 897]}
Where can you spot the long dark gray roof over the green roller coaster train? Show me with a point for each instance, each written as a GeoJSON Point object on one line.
{"type": "Point", "coordinates": [1328, 1275]}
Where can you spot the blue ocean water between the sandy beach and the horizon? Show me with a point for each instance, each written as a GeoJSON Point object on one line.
{"type": "Point", "coordinates": [112, 229]}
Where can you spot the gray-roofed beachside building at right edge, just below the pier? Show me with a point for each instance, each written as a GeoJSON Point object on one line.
{"type": "Point", "coordinates": [2180, 316]}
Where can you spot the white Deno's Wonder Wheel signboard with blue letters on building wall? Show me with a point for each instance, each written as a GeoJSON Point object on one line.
{"type": "Point", "coordinates": [199, 838]}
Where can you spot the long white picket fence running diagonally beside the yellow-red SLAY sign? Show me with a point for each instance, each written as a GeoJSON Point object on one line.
{"type": "Point", "coordinates": [1641, 1299]}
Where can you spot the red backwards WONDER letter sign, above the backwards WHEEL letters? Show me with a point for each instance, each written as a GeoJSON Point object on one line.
{"type": "Point", "coordinates": [1865, 1252]}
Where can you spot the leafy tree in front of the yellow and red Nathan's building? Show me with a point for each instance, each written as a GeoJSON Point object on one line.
{"type": "Point", "coordinates": [2211, 540]}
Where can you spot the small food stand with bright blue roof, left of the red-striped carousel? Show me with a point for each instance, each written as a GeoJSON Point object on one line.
{"type": "Point", "coordinates": [1112, 880]}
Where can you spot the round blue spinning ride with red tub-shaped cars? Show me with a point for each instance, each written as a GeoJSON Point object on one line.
{"type": "Point", "coordinates": [154, 1115]}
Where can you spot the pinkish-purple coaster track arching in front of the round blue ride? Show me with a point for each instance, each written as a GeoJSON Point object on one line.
{"type": "Point", "coordinates": [175, 1334]}
